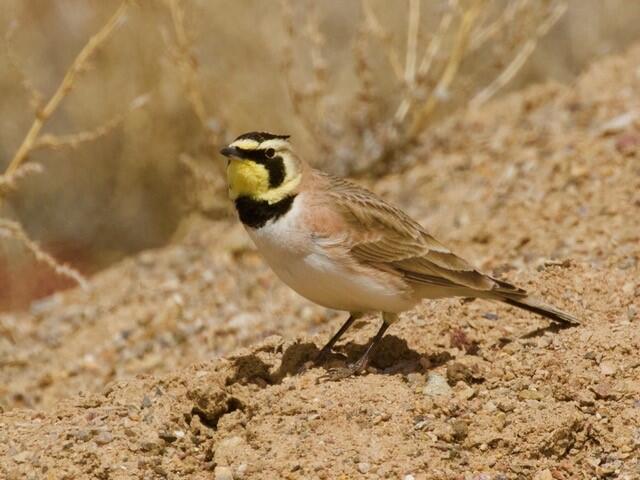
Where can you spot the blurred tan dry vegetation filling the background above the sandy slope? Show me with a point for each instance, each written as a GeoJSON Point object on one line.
{"type": "Point", "coordinates": [131, 148]}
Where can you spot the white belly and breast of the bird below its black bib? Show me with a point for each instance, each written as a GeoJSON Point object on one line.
{"type": "Point", "coordinates": [303, 265]}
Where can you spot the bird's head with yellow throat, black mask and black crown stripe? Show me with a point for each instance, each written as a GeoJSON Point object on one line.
{"type": "Point", "coordinates": [262, 166]}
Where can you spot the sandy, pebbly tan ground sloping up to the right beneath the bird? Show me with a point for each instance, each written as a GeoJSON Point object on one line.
{"type": "Point", "coordinates": [180, 362]}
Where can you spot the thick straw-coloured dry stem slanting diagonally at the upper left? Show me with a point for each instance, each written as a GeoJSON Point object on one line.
{"type": "Point", "coordinates": [65, 87]}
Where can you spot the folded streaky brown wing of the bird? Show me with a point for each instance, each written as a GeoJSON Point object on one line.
{"type": "Point", "coordinates": [388, 236]}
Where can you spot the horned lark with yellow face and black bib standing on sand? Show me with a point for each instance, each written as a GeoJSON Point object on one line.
{"type": "Point", "coordinates": [345, 248]}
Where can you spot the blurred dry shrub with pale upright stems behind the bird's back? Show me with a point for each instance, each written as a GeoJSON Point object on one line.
{"type": "Point", "coordinates": [457, 55]}
